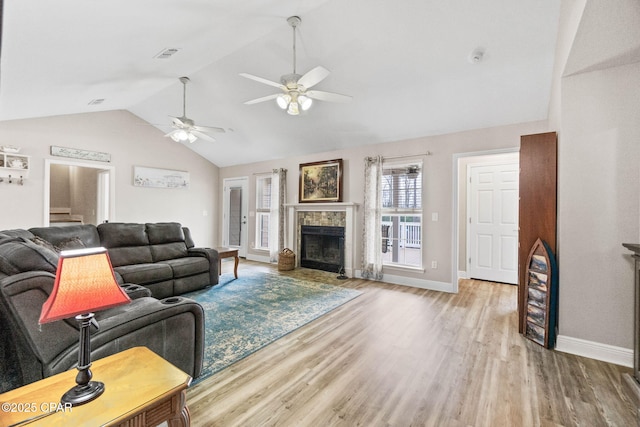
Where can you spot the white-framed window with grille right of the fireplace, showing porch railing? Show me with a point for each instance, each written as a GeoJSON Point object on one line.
{"type": "Point", "coordinates": [401, 213]}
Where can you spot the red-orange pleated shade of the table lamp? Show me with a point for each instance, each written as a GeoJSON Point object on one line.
{"type": "Point", "coordinates": [85, 283]}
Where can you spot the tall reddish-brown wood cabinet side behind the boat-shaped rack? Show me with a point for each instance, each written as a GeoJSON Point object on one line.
{"type": "Point", "coordinates": [538, 205]}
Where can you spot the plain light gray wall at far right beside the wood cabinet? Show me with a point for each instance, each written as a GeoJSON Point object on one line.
{"type": "Point", "coordinates": [595, 108]}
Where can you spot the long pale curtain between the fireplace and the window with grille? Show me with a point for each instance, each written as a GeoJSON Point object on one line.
{"type": "Point", "coordinates": [372, 238]}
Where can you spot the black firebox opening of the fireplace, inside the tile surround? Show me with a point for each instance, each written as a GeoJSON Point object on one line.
{"type": "Point", "coordinates": [322, 248]}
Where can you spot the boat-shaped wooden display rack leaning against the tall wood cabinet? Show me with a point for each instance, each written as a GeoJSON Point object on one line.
{"type": "Point", "coordinates": [541, 313]}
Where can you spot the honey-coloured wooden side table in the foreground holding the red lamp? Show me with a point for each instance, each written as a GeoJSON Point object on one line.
{"type": "Point", "coordinates": [141, 389]}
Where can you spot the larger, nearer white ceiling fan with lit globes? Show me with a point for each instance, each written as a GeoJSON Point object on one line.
{"type": "Point", "coordinates": [296, 96]}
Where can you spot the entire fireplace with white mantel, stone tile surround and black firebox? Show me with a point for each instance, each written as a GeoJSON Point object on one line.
{"type": "Point", "coordinates": [333, 218]}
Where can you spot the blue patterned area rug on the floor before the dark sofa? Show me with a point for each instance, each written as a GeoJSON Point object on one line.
{"type": "Point", "coordinates": [245, 314]}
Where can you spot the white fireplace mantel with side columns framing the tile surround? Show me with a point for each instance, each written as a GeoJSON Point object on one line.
{"type": "Point", "coordinates": [350, 216]}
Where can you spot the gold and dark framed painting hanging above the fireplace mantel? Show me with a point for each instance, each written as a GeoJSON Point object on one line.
{"type": "Point", "coordinates": [321, 181]}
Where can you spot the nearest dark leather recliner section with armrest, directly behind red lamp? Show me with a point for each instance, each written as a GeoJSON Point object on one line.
{"type": "Point", "coordinates": [173, 328]}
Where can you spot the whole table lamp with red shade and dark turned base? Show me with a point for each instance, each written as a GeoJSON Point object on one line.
{"type": "Point", "coordinates": [84, 283]}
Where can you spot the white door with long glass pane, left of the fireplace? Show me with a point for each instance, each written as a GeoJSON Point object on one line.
{"type": "Point", "coordinates": [236, 208]}
